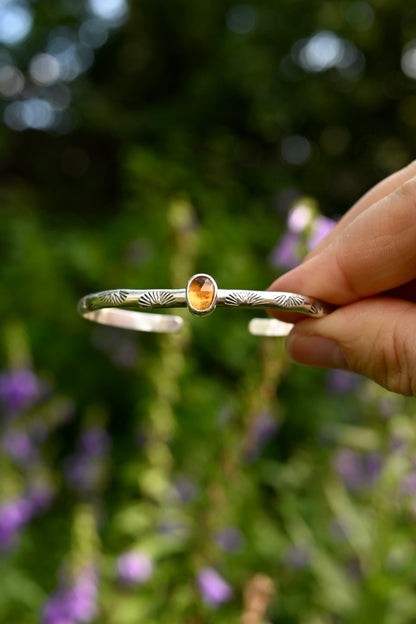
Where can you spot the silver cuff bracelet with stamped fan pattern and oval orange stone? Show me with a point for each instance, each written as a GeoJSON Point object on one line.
{"type": "Point", "coordinates": [121, 308]}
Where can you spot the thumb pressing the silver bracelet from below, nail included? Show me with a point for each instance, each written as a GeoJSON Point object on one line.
{"type": "Point", "coordinates": [375, 337]}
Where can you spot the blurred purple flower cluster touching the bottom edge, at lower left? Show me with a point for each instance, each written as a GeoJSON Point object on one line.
{"type": "Point", "coordinates": [74, 602]}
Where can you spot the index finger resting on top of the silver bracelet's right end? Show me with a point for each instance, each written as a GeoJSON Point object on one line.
{"type": "Point", "coordinates": [375, 252]}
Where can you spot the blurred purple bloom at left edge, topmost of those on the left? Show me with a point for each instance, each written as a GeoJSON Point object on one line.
{"type": "Point", "coordinates": [20, 389]}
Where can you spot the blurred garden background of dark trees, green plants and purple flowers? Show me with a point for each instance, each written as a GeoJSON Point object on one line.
{"type": "Point", "coordinates": [198, 477]}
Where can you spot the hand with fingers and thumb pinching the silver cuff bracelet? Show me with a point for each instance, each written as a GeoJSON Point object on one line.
{"type": "Point", "coordinates": [367, 267]}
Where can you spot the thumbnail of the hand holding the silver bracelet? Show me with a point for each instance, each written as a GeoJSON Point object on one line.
{"type": "Point", "coordinates": [315, 351]}
